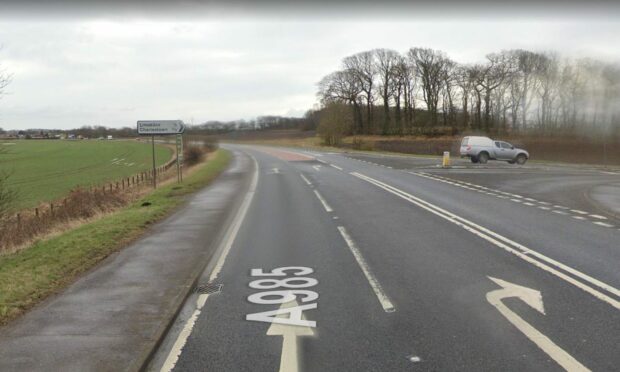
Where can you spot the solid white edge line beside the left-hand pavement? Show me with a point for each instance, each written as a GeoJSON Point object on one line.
{"type": "Point", "coordinates": [227, 243]}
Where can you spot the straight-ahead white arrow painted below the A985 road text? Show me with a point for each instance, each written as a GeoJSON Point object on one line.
{"type": "Point", "coordinates": [289, 361]}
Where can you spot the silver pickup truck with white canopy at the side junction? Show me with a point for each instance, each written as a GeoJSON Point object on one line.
{"type": "Point", "coordinates": [481, 149]}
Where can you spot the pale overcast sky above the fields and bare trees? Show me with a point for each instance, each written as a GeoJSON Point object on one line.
{"type": "Point", "coordinates": [112, 65]}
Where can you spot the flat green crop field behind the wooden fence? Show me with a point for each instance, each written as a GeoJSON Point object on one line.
{"type": "Point", "coordinates": [44, 170]}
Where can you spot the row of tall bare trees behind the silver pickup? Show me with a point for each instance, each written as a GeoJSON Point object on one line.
{"type": "Point", "coordinates": [424, 90]}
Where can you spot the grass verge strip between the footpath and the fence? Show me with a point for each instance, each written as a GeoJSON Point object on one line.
{"type": "Point", "coordinates": [30, 275]}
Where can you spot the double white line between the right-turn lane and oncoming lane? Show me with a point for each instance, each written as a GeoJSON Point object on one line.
{"type": "Point", "coordinates": [516, 249]}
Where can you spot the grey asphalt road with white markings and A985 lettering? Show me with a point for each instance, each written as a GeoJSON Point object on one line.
{"type": "Point", "coordinates": [393, 264]}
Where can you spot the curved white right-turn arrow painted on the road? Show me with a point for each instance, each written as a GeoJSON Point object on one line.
{"type": "Point", "coordinates": [533, 298]}
